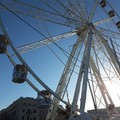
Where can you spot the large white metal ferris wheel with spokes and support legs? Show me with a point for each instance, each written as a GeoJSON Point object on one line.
{"type": "Point", "coordinates": [90, 30]}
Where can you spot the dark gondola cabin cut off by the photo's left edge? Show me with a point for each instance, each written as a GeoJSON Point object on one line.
{"type": "Point", "coordinates": [3, 44]}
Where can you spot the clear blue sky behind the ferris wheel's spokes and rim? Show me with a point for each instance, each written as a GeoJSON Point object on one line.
{"type": "Point", "coordinates": [42, 61]}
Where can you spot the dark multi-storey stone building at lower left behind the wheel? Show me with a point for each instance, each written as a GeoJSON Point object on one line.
{"type": "Point", "coordinates": [27, 109]}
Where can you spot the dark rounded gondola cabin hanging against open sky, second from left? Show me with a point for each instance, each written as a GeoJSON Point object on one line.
{"type": "Point", "coordinates": [19, 73]}
